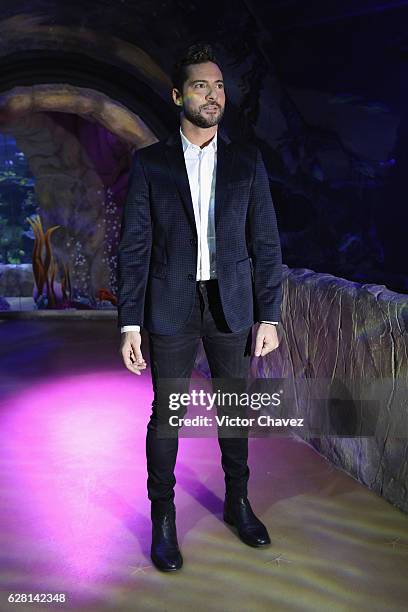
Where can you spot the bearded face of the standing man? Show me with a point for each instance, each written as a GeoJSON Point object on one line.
{"type": "Point", "coordinates": [203, 98]}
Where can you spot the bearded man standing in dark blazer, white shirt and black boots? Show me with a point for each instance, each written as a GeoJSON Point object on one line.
{"type": "Point", "coordinates": [199, 257]}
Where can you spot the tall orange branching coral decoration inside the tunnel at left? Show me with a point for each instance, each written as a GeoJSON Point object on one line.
{"type": "Point", "coordinates": [45, 268]}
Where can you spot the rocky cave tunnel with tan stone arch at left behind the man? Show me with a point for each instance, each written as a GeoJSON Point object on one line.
{"type": "Point", "coordinates": [88, 134]}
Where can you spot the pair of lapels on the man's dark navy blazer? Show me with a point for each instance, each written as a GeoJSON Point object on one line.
{"type": "Point", "coordinates": [175, 158]}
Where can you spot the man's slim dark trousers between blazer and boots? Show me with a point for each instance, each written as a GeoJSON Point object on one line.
{"type": "Point", "coordinates": [228, 356]}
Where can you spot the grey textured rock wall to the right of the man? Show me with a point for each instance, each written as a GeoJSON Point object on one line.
{"type": "Point", "coordinates": [356, 335]}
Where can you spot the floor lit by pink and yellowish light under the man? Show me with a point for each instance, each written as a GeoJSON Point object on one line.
{"type": "Point", "coordinates": [74, 515]}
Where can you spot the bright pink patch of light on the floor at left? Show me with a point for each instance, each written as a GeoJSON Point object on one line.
{"type": "Point", "coordinates": [71, 444]}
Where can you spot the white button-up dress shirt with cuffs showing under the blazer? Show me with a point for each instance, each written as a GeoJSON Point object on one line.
{"type": "Point", "coordinates": [201, 165]}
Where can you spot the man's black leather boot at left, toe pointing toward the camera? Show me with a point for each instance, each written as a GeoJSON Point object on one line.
{"type": "Point", "coordinates": [165, 552]}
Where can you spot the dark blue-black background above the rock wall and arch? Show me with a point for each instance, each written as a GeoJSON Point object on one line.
{"type": "Point", "coordinates": [322, 87]}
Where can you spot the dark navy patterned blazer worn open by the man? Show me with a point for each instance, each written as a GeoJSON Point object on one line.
{"type": "Point", "coordinates": [157, 253]}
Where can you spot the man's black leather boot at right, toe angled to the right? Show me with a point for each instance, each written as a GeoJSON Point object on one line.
{"type": "Point", "coordinates": [238, 513]}
